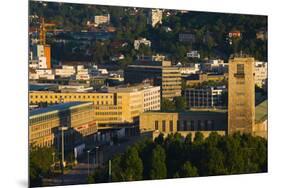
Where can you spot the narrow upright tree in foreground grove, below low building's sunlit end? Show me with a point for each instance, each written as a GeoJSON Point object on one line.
{"type": "Point", "coordinates": [158, 163]}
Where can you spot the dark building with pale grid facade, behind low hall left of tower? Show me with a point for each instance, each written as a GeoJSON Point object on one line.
{"type": "Point", "coordinates": [208, 97]}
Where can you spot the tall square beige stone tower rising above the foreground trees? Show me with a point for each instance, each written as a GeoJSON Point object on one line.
{"type": "Point", "coordinates": [241, 95]}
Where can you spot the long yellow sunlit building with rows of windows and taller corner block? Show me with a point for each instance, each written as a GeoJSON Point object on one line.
{"type": "Point", "coordinates": [115, 105]}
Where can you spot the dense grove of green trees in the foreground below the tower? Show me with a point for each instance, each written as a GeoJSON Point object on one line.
{"type": "Point", "coordinates": [178, 157]}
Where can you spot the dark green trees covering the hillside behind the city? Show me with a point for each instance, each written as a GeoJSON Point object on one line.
{"type": "Point", "coordinates": [210, 30]}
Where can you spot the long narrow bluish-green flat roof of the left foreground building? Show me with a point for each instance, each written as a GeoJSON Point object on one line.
{"type": "Point", "coordinates": [56, 107]}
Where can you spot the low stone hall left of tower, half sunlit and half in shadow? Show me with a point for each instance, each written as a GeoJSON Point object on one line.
{"type": "Point", "coordinates": [184, 122]}
